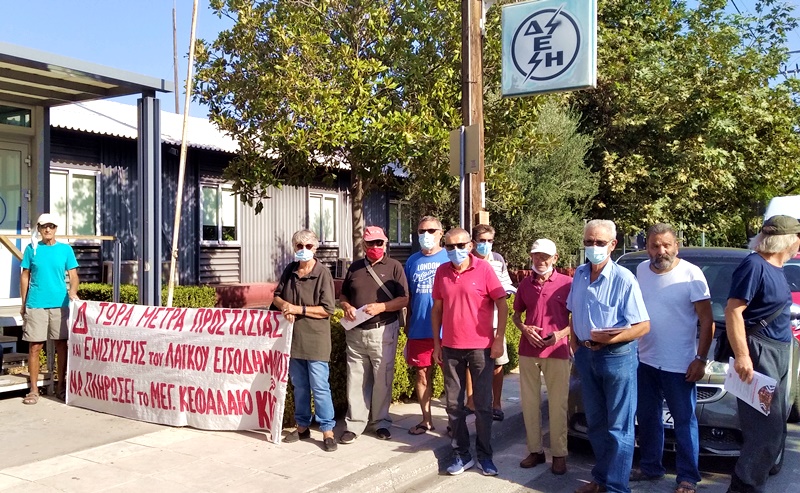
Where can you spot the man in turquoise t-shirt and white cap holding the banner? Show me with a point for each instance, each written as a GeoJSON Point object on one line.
{"type": "Point", "coordinates": [45, 300]}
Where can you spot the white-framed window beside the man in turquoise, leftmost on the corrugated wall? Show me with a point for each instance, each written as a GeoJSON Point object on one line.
{"type": "Point", "coordinates": [73, 199]}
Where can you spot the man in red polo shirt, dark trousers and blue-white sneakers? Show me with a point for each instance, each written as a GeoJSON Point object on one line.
{"type": "Point", "coordinates": [465, 292]}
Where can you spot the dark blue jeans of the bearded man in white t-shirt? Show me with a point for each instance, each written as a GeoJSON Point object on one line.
{"type": "Point", "coordinates": [654, 386]}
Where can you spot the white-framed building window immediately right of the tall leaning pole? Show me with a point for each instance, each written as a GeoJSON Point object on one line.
{"type": "Point", "coordinates": [220, 213]}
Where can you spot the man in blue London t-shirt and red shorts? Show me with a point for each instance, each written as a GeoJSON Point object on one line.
{"type": "Point", "coordinates": [420, 271]}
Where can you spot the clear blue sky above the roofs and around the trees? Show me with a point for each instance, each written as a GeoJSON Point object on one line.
{"type": "Point", "coordinates": [136, 35]}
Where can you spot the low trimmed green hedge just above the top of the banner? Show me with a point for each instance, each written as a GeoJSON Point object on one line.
{"type": "Point", "coordinates": [183, 296]}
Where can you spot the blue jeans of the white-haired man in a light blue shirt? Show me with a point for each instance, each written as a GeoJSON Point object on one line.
{"type": "Point", "coordinates": [608, 384]}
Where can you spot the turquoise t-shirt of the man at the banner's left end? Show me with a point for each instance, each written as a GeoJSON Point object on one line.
{"type": "Point", "coordinates": [48, 289]}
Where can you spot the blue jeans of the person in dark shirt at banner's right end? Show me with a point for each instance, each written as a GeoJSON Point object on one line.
{"type": "Point", "coordinates": [311, 376]}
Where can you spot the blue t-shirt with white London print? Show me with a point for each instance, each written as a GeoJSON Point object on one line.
{"type": "Point", "coordinates": [420, 271]}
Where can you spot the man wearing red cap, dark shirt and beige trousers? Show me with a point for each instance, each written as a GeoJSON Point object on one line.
{"type": "Point", "coordinates": [377, 286]}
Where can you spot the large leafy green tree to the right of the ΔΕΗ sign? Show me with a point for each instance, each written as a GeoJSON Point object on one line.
{"type": "Point", "coordinates": [689, 122]}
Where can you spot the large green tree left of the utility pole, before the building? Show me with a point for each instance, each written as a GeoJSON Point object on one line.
{"type": "Point", "coordinates": [312, 87]}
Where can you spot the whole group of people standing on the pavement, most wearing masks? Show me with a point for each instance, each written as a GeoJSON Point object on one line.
{"type": "Point", "coordinates": [635, 341]}
